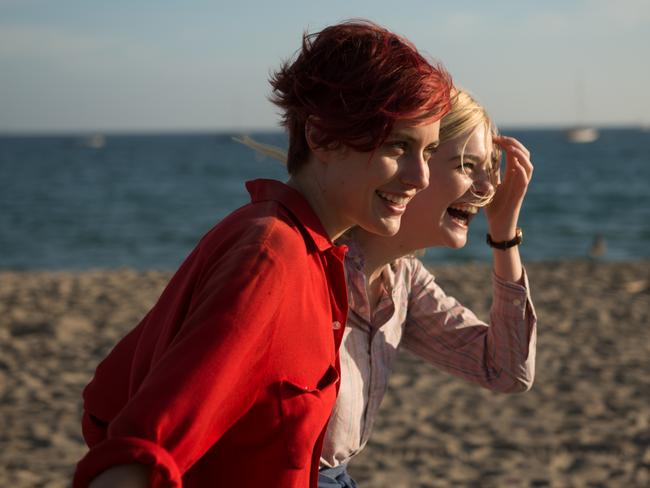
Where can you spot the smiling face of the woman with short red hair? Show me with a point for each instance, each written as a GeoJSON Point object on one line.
{"type": "Point", "coordinates": [372, 190]}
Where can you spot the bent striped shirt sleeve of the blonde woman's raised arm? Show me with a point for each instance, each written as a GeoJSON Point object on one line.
{"type": "Point", "coordinates": [500, 356]}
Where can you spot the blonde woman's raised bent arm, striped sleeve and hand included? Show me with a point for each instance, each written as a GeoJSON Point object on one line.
{"type": "Point", "coordinates": [500, 356]}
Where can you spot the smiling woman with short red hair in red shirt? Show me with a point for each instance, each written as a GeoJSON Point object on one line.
{"type": "Point", "coordinates": [231, 377]}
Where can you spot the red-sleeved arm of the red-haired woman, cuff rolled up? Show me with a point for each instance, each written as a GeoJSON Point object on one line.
{"type": "Point", "coordinates": [217, 355]}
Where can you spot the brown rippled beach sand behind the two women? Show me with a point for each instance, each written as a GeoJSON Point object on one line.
{"type": "Point", "coordinates": [586, 422]}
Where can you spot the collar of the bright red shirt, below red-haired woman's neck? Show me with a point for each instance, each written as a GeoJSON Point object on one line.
{"type": "Point", "coordinates": [262, 190]}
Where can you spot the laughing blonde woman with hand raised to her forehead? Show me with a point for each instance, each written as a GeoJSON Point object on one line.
{"type": "Point", "coordinates": [395, 302]}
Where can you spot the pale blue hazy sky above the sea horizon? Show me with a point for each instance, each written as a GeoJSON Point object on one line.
{"type": "Point", "coordinates": [161, 65]}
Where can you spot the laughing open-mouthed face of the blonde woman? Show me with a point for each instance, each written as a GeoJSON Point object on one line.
{"type": "Point", "coordinates": [440, 214]}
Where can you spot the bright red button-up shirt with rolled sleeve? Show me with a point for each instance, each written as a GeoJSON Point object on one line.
{"type": "Point", "coordinates": [230, 378]}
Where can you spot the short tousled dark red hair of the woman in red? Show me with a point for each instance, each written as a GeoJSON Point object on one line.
{"type": "Point", "coordinates": [353, 81]}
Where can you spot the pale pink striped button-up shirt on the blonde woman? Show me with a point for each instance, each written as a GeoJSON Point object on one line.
{"type": "Point", "coordinates": [415, 313]}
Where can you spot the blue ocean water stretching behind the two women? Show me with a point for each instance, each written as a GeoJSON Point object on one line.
{"type": "Point", "coordinates": [143, 201]}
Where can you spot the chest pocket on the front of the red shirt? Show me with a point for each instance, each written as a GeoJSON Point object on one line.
{"type": "Point", "coordinates": [305, 411]}
